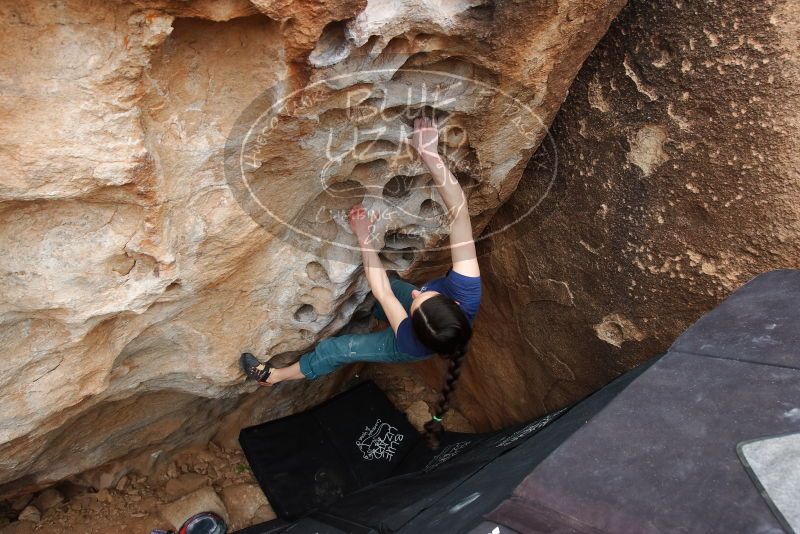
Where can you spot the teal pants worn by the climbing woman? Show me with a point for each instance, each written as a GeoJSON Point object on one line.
{"type": "Point", "coordinates": [332, 353]}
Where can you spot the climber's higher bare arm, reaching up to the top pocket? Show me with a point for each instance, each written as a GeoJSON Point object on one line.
{"type": "Point", "coordinates": [425, 139]}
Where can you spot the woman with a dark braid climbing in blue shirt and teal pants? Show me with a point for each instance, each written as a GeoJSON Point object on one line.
{"type": "Point", "coordinates": [436, 318]}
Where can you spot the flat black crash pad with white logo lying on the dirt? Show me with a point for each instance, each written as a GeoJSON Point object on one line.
{"type": "Point", "coordinates": [313, 458]}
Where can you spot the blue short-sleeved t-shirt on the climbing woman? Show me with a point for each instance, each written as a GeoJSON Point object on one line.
{"type": "Point", "coordinates": [466, 290]}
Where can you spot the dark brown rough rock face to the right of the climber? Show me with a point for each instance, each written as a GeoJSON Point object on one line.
{"type": "Point", "coordinates": [677, 182]}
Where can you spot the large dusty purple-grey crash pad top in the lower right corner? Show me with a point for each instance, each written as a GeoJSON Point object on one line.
{"type": "Point", "coordinates": [662, 456]}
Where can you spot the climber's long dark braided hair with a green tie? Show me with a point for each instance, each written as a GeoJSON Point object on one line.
{"type": "Point", "coordinates": [441, 325]}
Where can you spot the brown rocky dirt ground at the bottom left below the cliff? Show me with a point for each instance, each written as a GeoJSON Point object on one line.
{"type": "Point", "coordinates": [133, 503]}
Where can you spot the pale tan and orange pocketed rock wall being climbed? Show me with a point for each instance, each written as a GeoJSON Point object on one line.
{"type": "Point", "coordinates": [149, 233]}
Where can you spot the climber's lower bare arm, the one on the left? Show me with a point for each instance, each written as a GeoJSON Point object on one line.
{"type": "Point", "coordinates": [361, 223]}
